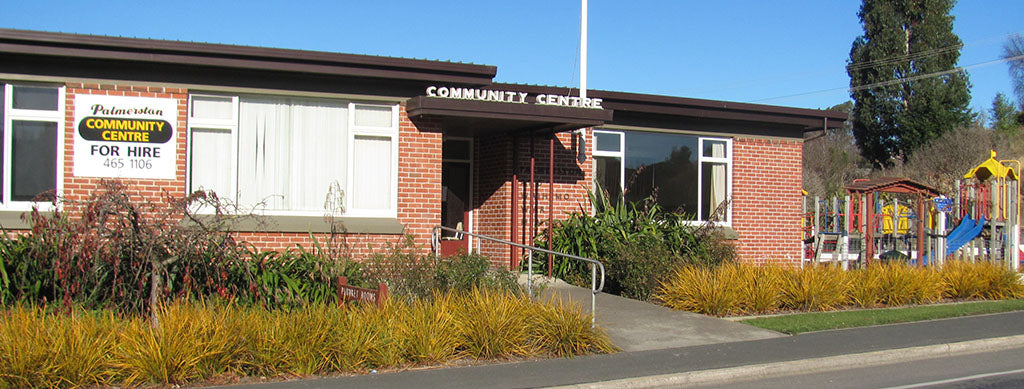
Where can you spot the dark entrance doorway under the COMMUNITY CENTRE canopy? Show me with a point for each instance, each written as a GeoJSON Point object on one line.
{"type": "Point", "coordinates": [457, 206]}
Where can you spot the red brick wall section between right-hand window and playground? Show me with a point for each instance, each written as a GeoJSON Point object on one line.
{"type": "Point", "coordinates": [766, 200]}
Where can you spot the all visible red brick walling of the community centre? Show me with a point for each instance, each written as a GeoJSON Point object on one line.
{"type": "Point", "coordinates": [765, 196]}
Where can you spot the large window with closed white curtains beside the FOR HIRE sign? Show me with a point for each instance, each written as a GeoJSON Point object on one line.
{"type": "Point", "coordinates": [283, 155]}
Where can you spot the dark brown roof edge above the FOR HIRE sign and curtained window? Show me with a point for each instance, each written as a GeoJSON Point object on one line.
{"type": "Point", "coordinates": [276, 59]}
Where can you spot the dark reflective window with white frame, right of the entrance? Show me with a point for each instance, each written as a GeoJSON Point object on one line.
{"type": "Point", "coordinates": [685, 174]}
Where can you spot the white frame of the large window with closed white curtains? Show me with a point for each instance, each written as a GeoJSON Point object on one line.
{"type": "Point", "coordinates": [391, 133]}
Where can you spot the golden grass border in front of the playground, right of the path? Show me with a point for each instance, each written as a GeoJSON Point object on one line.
{"type": "Point", "coordinates": [743, 289]}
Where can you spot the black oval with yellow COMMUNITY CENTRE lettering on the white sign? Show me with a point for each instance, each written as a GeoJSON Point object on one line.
{"type": "Point", "coordinates": [125, 131]}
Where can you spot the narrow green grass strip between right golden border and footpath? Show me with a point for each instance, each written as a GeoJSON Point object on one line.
{"type": "Point", "coordinates": [804, 323]}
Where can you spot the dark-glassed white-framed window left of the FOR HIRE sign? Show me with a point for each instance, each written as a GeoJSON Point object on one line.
{"type": "Point", "coordinates": [30, 119]}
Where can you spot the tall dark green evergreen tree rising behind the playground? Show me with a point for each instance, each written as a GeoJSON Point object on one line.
{"type": "Point", "coordinates": [904, 80]}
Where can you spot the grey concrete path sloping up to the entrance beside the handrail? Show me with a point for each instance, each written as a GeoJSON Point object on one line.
{"type": "Point", "coordinates": [636, 326]}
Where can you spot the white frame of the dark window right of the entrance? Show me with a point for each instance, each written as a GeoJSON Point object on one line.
{"type": "Point", "coordinates": [728, 160]}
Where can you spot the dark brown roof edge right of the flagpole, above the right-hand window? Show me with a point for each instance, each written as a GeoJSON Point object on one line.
{"type": "Point", "coordinates": [810, 120]}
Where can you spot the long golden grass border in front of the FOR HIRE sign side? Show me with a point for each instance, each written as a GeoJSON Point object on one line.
{"type": "Point", "coordinates": [198, 341]}
